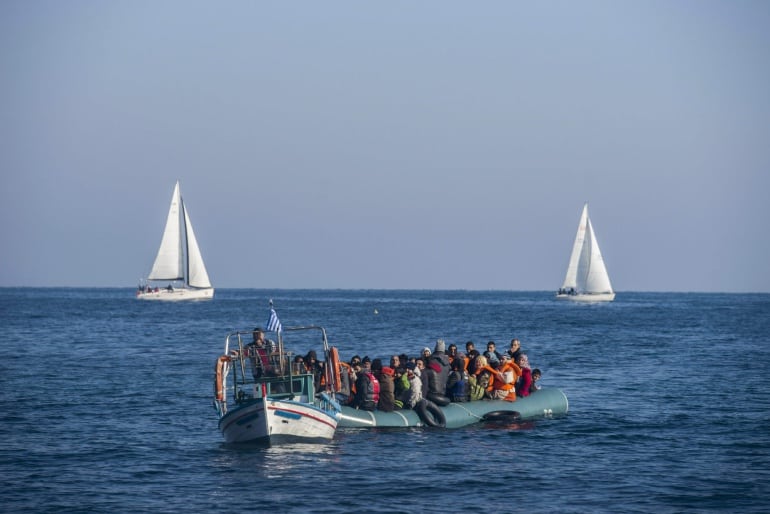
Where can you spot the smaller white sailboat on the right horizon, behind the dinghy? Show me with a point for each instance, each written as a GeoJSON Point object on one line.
{"type": "Point", "coordinates": [587, 279]}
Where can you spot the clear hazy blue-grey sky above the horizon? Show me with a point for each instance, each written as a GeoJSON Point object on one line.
{"type": "Point", "coordinates": [394, 145]}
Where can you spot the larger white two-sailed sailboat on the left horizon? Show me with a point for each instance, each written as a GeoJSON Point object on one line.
{"type": "Point", "coordinates": [178, 259]}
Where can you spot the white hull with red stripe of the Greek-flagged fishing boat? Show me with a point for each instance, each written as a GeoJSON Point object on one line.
{"type": "Point", "coordinates": [281, 421]}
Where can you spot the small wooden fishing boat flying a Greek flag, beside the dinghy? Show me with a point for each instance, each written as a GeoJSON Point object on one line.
{"type": "Point", "coordinates": [262, 398]}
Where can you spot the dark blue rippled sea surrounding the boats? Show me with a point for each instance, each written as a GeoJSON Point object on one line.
{"type": "Point", "coordinates": [107, 405]}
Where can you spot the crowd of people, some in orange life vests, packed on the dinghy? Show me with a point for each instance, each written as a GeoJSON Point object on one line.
{"type": "Point", "coordinates": [443, 375]}
